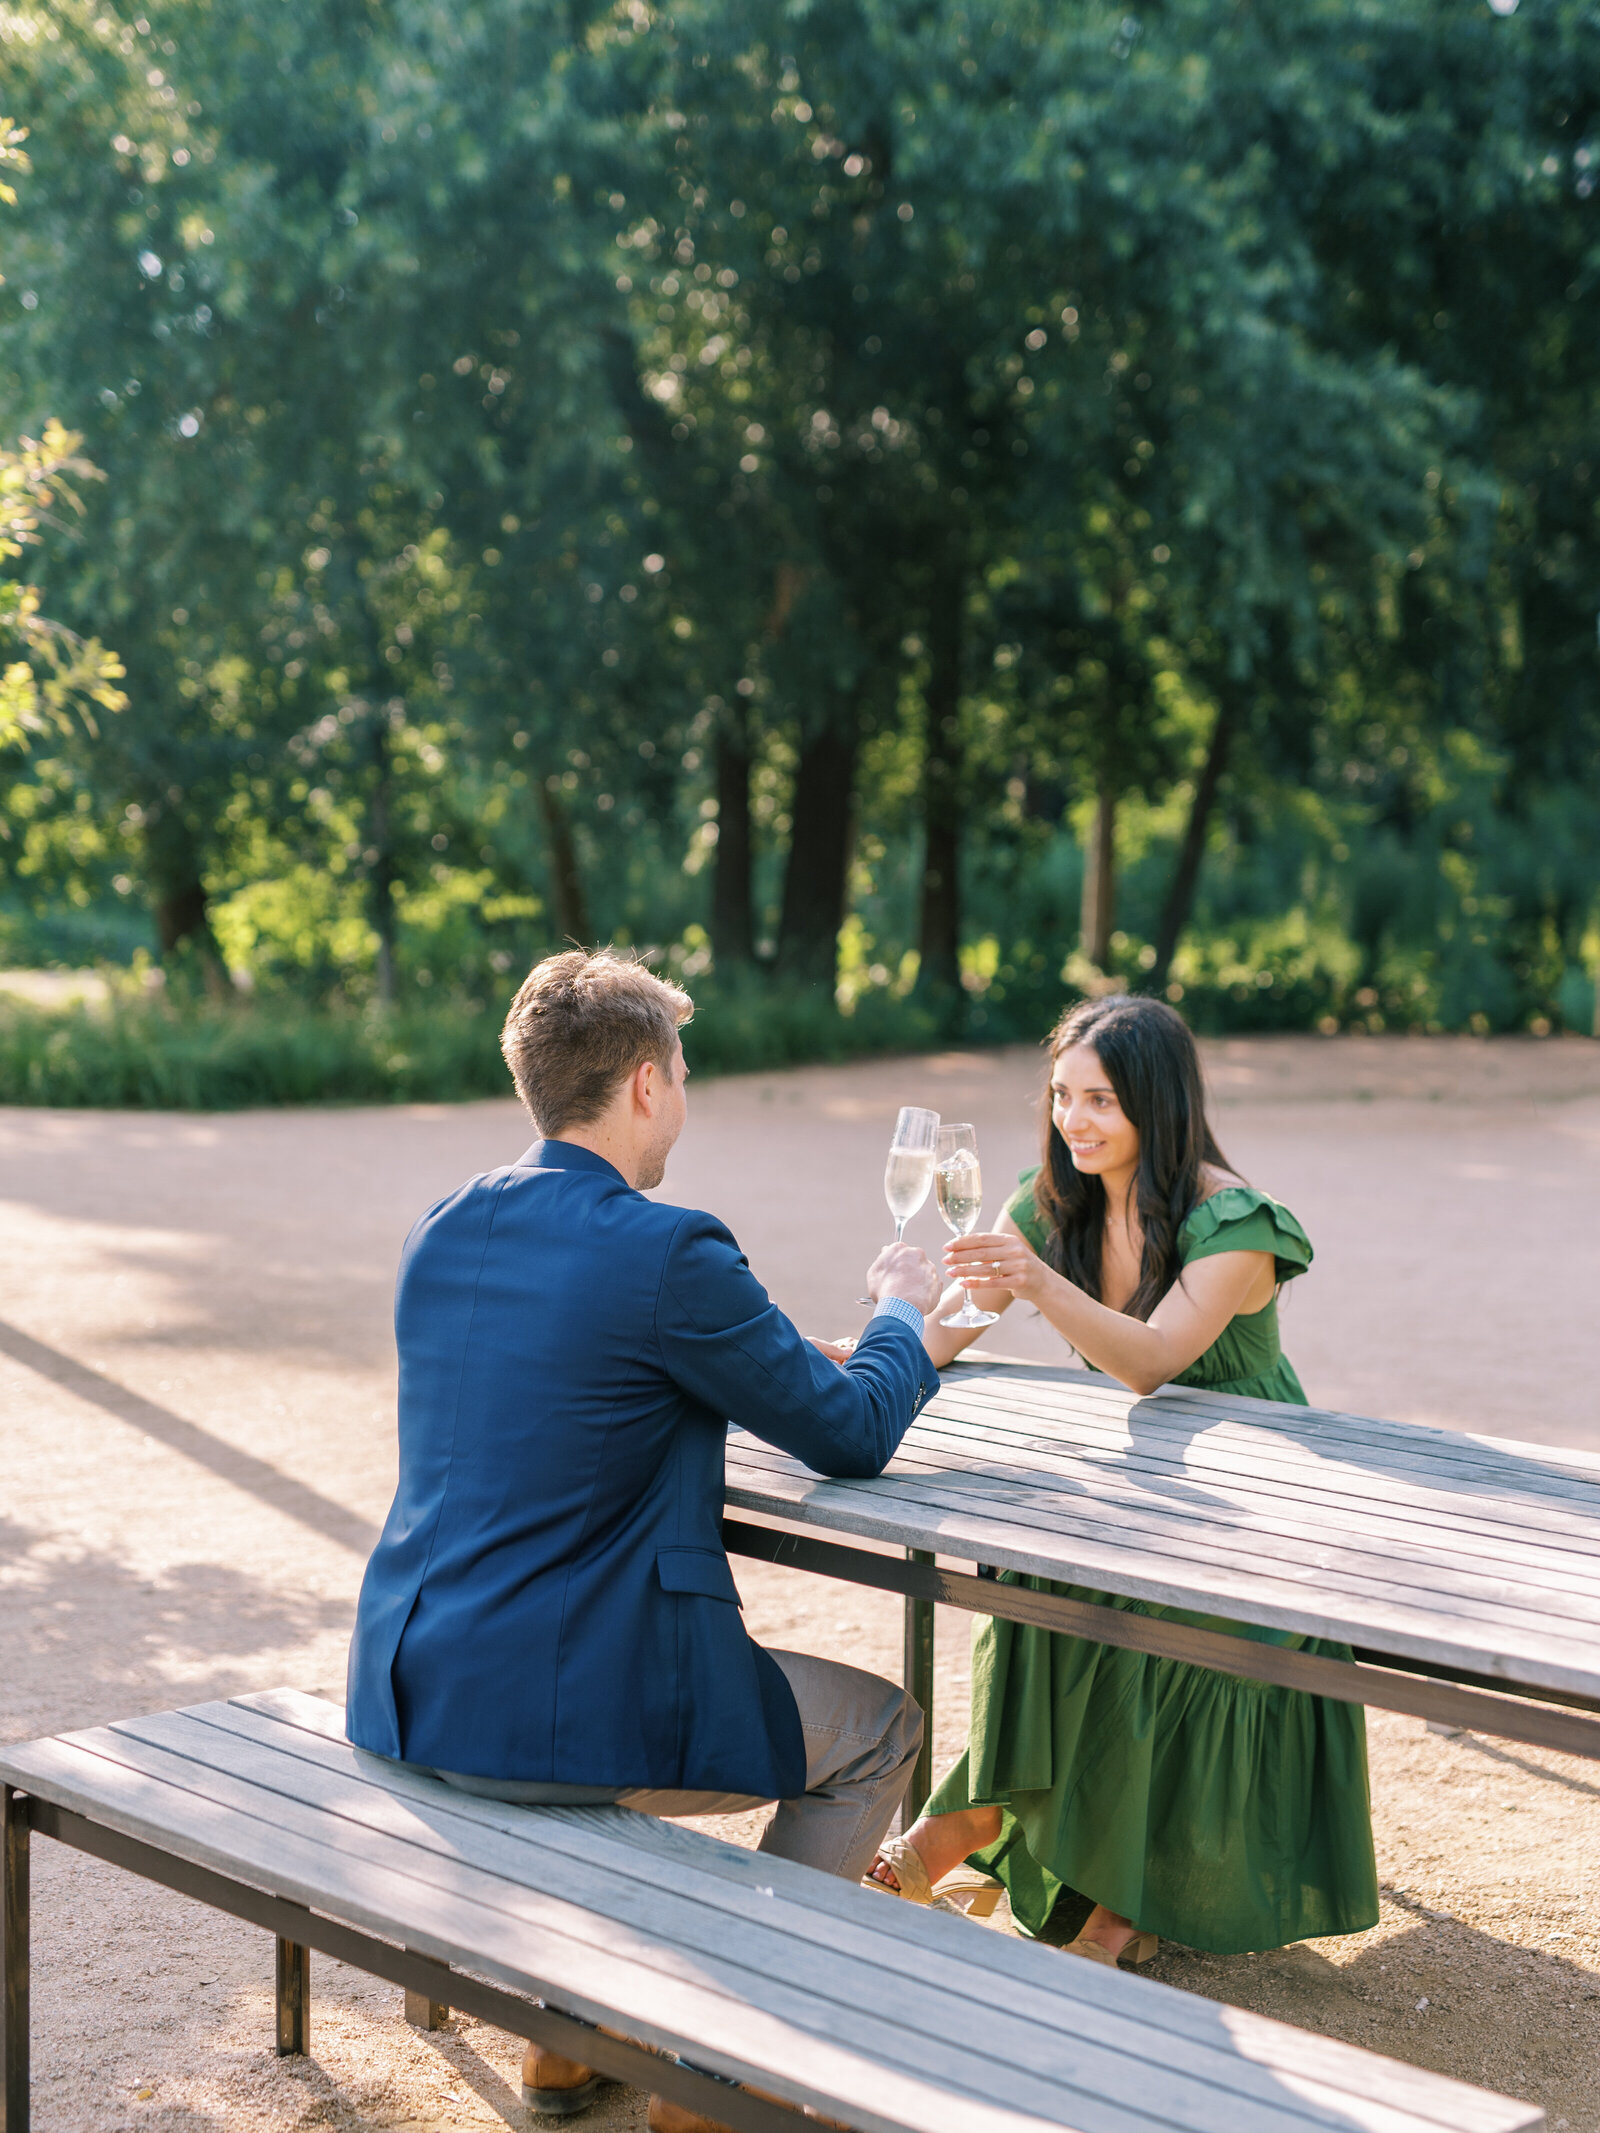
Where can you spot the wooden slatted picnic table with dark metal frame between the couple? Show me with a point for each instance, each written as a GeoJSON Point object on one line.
{"type": "Point", "coordinates": [1462, 1571]}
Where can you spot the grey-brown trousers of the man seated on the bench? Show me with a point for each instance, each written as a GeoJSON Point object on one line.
{"type": "Point", "coordinates": [863, 1737]}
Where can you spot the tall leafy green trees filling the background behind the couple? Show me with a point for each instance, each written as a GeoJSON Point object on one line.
{"type": "Point", "coordinates": [876, 494]}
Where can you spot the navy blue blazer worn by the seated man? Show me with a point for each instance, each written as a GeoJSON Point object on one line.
{"type": "Point", "coordinates": [549, 1599]}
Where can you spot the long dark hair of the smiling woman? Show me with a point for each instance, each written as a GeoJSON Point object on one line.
{"type": "Point", "coordinates": [1153, 1065]}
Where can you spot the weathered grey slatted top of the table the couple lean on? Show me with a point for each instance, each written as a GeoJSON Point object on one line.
{"type": "Point", "coordinates": [1277, 1518]}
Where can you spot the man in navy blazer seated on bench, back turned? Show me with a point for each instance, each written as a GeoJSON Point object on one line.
{"type": "Point", "coordinates": [549, 1614]}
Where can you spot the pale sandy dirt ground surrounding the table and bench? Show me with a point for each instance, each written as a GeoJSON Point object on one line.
{"type": "Point", "coordinates": [197, 1381]}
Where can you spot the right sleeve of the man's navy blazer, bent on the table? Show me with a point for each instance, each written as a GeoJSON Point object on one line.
{"type": "Point", "coordinates": [733, 1349]}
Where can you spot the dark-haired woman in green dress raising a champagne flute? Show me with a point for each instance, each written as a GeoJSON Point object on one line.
{"type": "Point", "coordinates": [1223, 1814]}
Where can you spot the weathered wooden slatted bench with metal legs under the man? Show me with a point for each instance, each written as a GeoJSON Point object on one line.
{"type": "Point", "coordinates": [714, 1961]}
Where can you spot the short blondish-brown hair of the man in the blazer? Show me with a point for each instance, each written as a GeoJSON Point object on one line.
{"type": "Point", "coordinates": [579, 1027]}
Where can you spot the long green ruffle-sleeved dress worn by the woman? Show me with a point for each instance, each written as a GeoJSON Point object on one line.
{"type": "Point", "coordinates": [1221, 1814]}
